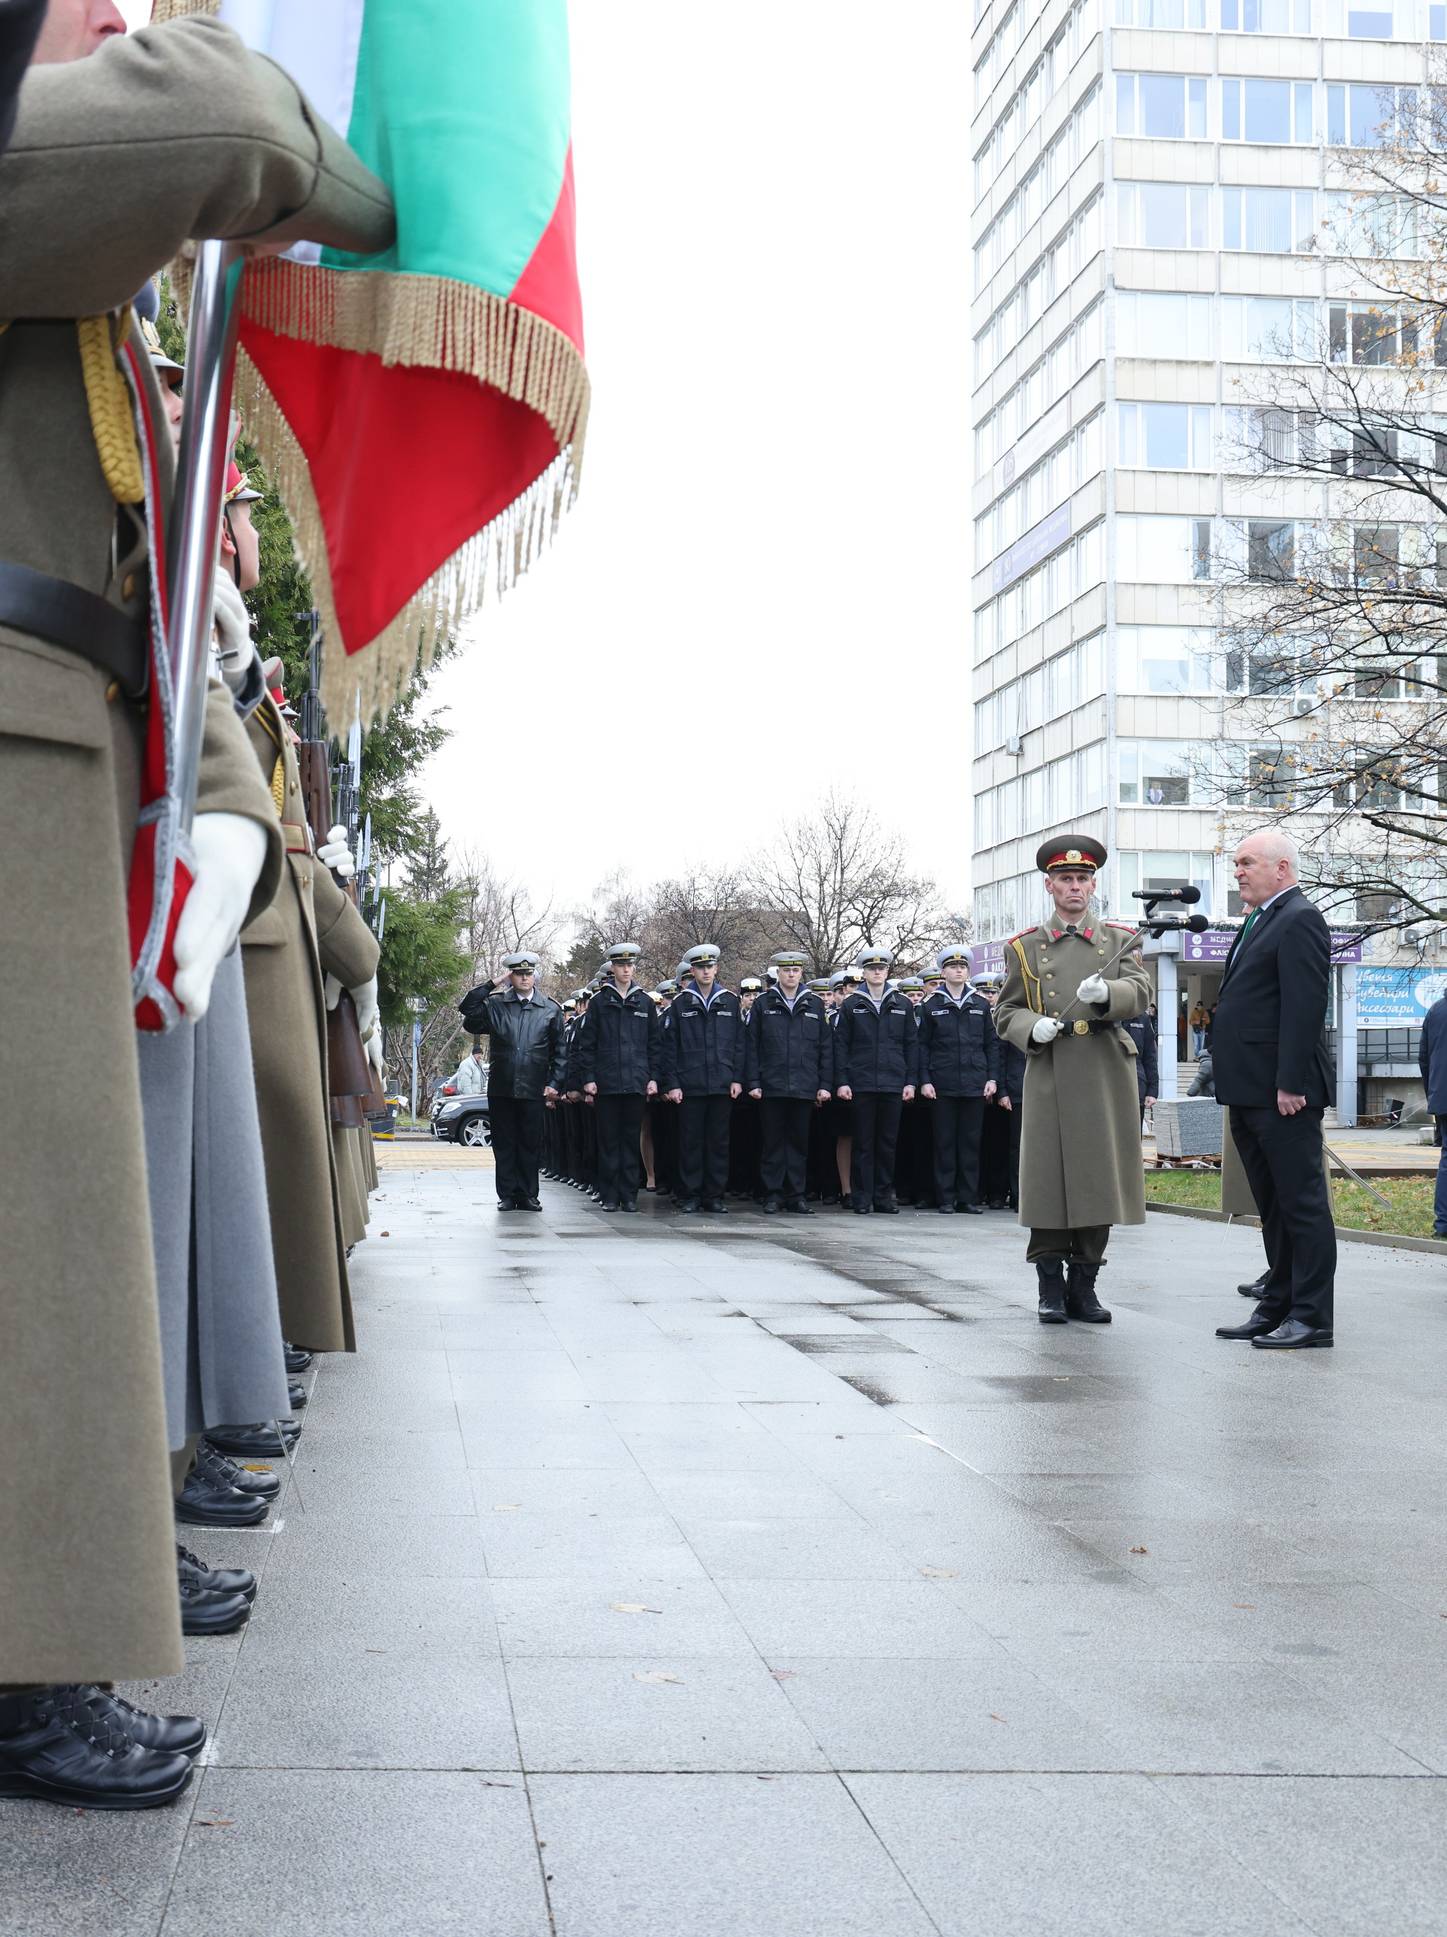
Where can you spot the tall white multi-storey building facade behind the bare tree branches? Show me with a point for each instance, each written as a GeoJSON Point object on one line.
{"type": "Point", "coordinates": [1154, 183]}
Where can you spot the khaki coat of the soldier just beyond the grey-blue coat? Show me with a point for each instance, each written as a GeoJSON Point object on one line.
{"type": "Point", "coordinates": [309, 931]}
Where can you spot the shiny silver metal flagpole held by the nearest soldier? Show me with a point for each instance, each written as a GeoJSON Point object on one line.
{"type": "Point", "coordinates": [200, 483]}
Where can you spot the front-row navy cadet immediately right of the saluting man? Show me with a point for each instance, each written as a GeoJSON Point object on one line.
{"type": "Point", "coordinates": [617, 1066]}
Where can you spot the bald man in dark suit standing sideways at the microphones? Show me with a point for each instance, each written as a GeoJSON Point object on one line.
{"type": "Point", "coordinates": [1274, 1072]}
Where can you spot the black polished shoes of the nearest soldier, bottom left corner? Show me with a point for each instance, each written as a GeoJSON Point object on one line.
{"type": "Point", "coordinates": [59, 1750]}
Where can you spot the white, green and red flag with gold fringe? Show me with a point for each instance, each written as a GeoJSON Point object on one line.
{"type": "Point", "coordinates": [423, 412]}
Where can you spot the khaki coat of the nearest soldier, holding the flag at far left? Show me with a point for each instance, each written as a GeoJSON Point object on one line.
{"type": "Point", "coordinates": [113, 166]}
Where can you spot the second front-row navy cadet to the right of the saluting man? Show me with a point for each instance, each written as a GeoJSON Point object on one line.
{"type": "Point", "coordinates": [702, 1074]}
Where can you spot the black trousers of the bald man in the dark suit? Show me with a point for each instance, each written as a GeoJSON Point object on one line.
{"type": "Point", "coordinates": [1281, 1157]}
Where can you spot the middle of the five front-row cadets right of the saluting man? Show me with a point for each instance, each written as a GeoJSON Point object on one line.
{"type": "Point", "coordinates": [787, 1070]}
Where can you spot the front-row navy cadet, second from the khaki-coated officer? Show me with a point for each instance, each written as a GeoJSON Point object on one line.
{"type": "Point", "coordinates": [877, 1068]}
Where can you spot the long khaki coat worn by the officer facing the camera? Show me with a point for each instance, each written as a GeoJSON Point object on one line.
{"type": "Point", "coordinates": [1082, 1126]}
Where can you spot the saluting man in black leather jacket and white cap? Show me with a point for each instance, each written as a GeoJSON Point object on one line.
{"type": "Point", "coordinates": [526, 1072]}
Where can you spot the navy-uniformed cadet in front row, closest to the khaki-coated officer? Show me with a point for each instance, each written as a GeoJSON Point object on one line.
{"type": "Point", "coordinates": [960, 1070]}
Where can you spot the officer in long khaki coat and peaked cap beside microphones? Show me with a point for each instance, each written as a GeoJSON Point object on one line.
{"type": "Point", "coordinates": [1070, 989]}
